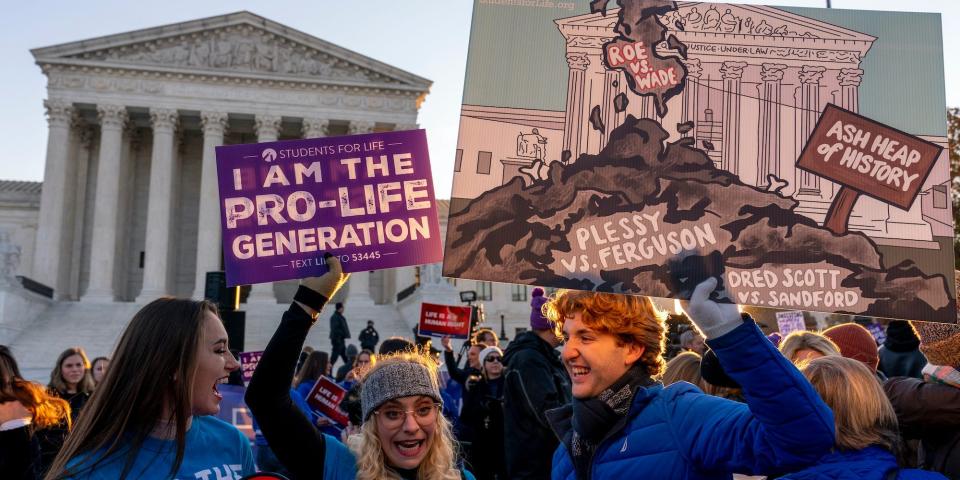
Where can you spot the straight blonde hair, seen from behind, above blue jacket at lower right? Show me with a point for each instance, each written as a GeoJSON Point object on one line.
{"type": "Point", "coordinates": [861, 411]}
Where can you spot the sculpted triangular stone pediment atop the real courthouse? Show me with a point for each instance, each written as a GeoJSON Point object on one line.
{"type": "Point", "coordinates": [238, 44]}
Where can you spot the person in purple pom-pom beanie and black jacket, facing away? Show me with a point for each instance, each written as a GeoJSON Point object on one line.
{"type": "Point", "coordinates": [535, 381]}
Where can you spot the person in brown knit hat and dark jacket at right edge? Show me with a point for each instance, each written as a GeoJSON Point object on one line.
{"type": "Point", "coordinates": [928, 409]}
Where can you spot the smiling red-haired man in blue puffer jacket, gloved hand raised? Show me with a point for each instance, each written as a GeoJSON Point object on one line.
{"type": "Point", "coordinates": [622, 423]}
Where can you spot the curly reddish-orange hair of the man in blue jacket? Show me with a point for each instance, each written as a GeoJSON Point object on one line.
{"type": "Point", "coordinates": [632, 319]}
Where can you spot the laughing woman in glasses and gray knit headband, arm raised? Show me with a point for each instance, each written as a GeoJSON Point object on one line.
{"type": "Point", "coordinates": [403, 435]}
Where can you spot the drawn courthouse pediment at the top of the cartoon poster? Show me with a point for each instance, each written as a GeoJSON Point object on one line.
{"type": "Point", "coordinates": [698, 18]}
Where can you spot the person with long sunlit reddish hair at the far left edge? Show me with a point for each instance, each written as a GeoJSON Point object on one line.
{"type": "Point", "coordinates": [33, 422]}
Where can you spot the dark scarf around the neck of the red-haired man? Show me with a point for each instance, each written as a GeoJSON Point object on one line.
{"type": "Point", "coordinates": [594, 418]}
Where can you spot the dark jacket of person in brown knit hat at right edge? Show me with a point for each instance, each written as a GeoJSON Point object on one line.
{"type": "Point", "coordinates": [929, 412]}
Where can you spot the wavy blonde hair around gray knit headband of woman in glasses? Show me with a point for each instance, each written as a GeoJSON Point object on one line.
{"type": "Point", "coordinates": [440, 461]}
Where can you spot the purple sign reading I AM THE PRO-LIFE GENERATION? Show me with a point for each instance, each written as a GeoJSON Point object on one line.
{"type": "Point", "coordinates": [367, 199]}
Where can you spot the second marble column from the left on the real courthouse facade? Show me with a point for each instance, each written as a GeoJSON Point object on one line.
{"type": "Point", "coordinates": [103, 252]}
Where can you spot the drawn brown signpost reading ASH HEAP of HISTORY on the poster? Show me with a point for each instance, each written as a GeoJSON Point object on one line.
{"type": "Point", "coordinates": [866, 157]}
